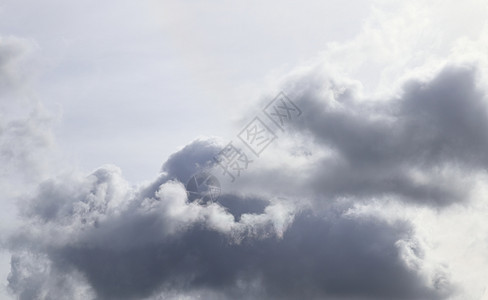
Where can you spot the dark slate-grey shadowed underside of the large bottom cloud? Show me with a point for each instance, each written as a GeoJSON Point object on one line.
{"type": "Point", "coordinates": [316, 257]}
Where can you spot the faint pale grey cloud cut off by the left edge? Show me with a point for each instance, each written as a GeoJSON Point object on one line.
{"type": "Point", "coordinates": [24, 125]}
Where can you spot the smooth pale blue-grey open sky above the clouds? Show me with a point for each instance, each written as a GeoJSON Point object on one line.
{"type": "Point", "coordinates": [130, 82]}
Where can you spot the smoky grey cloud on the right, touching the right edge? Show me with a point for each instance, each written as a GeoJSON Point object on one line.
{"type": "Point", "coordinates": [420, 146]}
